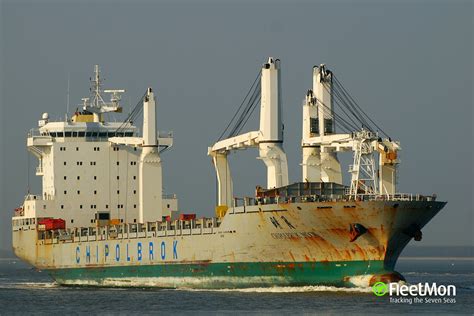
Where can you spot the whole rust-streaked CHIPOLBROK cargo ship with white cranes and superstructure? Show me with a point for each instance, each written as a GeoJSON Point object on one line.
{"type": "Point", "coordinates": [102, 218]}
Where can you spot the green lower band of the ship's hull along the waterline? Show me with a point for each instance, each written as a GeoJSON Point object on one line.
{"type": "Point", "coordinates": [219, 275]}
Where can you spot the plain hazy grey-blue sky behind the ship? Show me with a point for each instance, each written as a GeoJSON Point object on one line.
{"type": "Point", "coordinates": [408, 63]}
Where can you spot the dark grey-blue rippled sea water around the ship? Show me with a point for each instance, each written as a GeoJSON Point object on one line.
{"type": "Point", "coordinates": [24, 289]}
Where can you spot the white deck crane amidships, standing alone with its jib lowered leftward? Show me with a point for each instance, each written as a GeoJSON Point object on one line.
{"type": "Point", "coordinates": [268, 139]}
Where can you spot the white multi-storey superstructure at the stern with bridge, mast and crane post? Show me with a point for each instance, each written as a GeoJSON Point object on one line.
{"type": "Point", "coordinates": [95, 170]}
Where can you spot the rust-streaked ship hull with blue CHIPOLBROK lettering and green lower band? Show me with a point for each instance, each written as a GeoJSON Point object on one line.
{"type": "Point", "coordinates": [265, 245]}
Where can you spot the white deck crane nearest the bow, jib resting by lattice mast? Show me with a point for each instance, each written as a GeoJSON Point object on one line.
{"type": "Point", "coordinates": [320, 144]}
